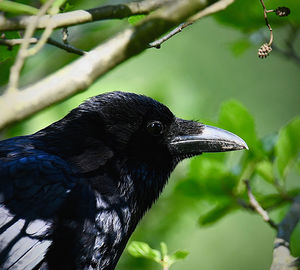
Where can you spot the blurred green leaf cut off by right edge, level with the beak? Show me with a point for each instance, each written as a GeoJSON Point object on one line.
{"type": "Point", "coordinates": [288, 146]}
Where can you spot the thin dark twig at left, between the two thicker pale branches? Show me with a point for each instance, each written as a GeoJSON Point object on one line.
{"type": "Point", "coordinates": [18, 41]}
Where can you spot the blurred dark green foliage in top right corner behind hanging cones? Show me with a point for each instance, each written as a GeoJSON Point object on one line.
{"type": "Point", "coordinates": [247, 16]}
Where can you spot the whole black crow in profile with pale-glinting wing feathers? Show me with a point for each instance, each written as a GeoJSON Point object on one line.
{"type": "Point", "coordinates": [72, 193]}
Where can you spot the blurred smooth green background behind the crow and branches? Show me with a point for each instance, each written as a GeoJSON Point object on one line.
{"type": "Point", "coordinates": [193, 74]}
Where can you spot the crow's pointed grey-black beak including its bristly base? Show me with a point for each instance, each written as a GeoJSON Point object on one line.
{"type": "Point", "coordinates": [201, 138]}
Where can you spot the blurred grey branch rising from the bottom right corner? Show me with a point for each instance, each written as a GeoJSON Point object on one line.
{"type": "Point", "coordinates": [282, 258]}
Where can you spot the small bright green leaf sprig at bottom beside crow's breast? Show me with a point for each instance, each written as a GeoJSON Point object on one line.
{"type": "Point", "coordinates": [141, 249]}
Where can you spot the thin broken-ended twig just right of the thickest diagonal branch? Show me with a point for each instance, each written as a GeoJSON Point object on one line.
{"type": "Point", "coordinates": [218, 6]}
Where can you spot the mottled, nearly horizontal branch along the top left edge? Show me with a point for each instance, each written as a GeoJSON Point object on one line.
{"type": "Point", "coordinates": [83, 16]}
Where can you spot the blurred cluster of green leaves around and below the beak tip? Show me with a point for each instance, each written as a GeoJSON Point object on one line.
{"type": "Point", "coordinates": [219, 178]}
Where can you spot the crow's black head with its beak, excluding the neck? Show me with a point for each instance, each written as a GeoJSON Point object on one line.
{"type": "Point", "coordinates": [147, 131]}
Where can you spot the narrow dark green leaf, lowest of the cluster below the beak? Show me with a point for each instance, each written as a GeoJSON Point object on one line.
{"type": "Point", "coordinates": [215, 214]}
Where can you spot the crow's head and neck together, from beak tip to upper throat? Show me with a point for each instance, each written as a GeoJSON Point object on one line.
{"type": "Point", "coordinates": [140, 139]}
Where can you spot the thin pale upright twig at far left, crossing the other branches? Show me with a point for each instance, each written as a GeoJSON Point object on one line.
{"type": "Point", "coordinates": [22, 54]}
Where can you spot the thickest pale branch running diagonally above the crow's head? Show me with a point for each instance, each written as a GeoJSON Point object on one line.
{"type": "Point", "coordinates": [83, 72]}
